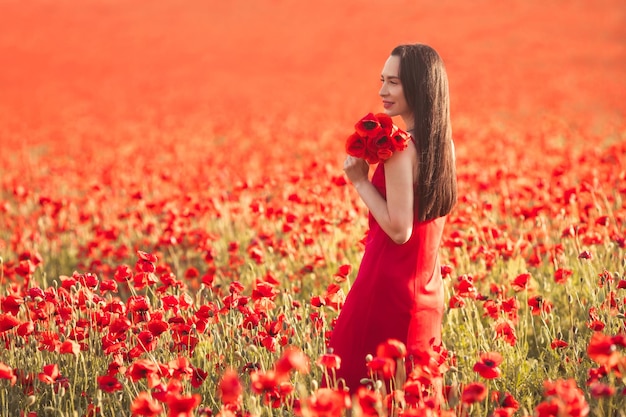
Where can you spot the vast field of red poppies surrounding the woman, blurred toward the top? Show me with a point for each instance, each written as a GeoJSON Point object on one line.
{"type": "Point", "coordinates": [177, 236]}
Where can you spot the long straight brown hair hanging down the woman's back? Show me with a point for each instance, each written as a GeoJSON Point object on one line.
{"type": "Point", "coordinates": [425, 85]}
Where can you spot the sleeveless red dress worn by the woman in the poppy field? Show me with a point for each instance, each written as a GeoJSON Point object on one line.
{"type": "Point", "coordinates": [397, 294]}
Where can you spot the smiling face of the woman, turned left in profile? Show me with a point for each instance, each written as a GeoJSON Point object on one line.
{"type": "Point", "coordinates": [392, 93]}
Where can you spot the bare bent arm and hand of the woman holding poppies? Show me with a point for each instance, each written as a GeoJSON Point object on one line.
{"type": "Point", "coordinates": [395, 214]}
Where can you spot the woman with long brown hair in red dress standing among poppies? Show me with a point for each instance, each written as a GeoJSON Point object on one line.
{"type": "Point", "coordinates": [398, 292]}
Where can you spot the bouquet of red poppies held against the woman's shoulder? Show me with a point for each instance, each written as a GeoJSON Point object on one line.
{"type": "Point", "coordinates": [376, 138]}
